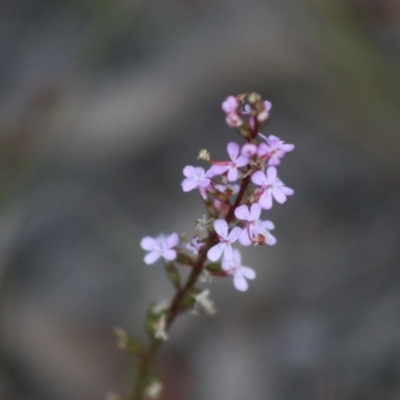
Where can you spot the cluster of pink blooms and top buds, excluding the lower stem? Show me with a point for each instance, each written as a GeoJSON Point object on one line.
{"type": "Point", "coordinates": [235, 191]}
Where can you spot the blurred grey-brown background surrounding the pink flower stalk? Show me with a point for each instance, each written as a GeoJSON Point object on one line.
{"type": "Point", "coordinates": [102, 104]}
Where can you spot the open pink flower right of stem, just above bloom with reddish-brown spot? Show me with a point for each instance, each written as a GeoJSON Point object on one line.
{"type": "Point", "coordinates": [270, 186]}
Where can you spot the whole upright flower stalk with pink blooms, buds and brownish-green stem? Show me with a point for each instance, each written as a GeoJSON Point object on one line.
{"type": "Point", "coordinates": [234, 193]}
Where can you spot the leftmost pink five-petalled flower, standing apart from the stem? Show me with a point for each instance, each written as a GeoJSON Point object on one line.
{"type": "Point", "coordinates": [160, 247]}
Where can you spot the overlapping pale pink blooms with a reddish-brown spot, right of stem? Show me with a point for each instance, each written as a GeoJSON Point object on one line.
{"type": "Point", "coordinates": [255, 231]}
